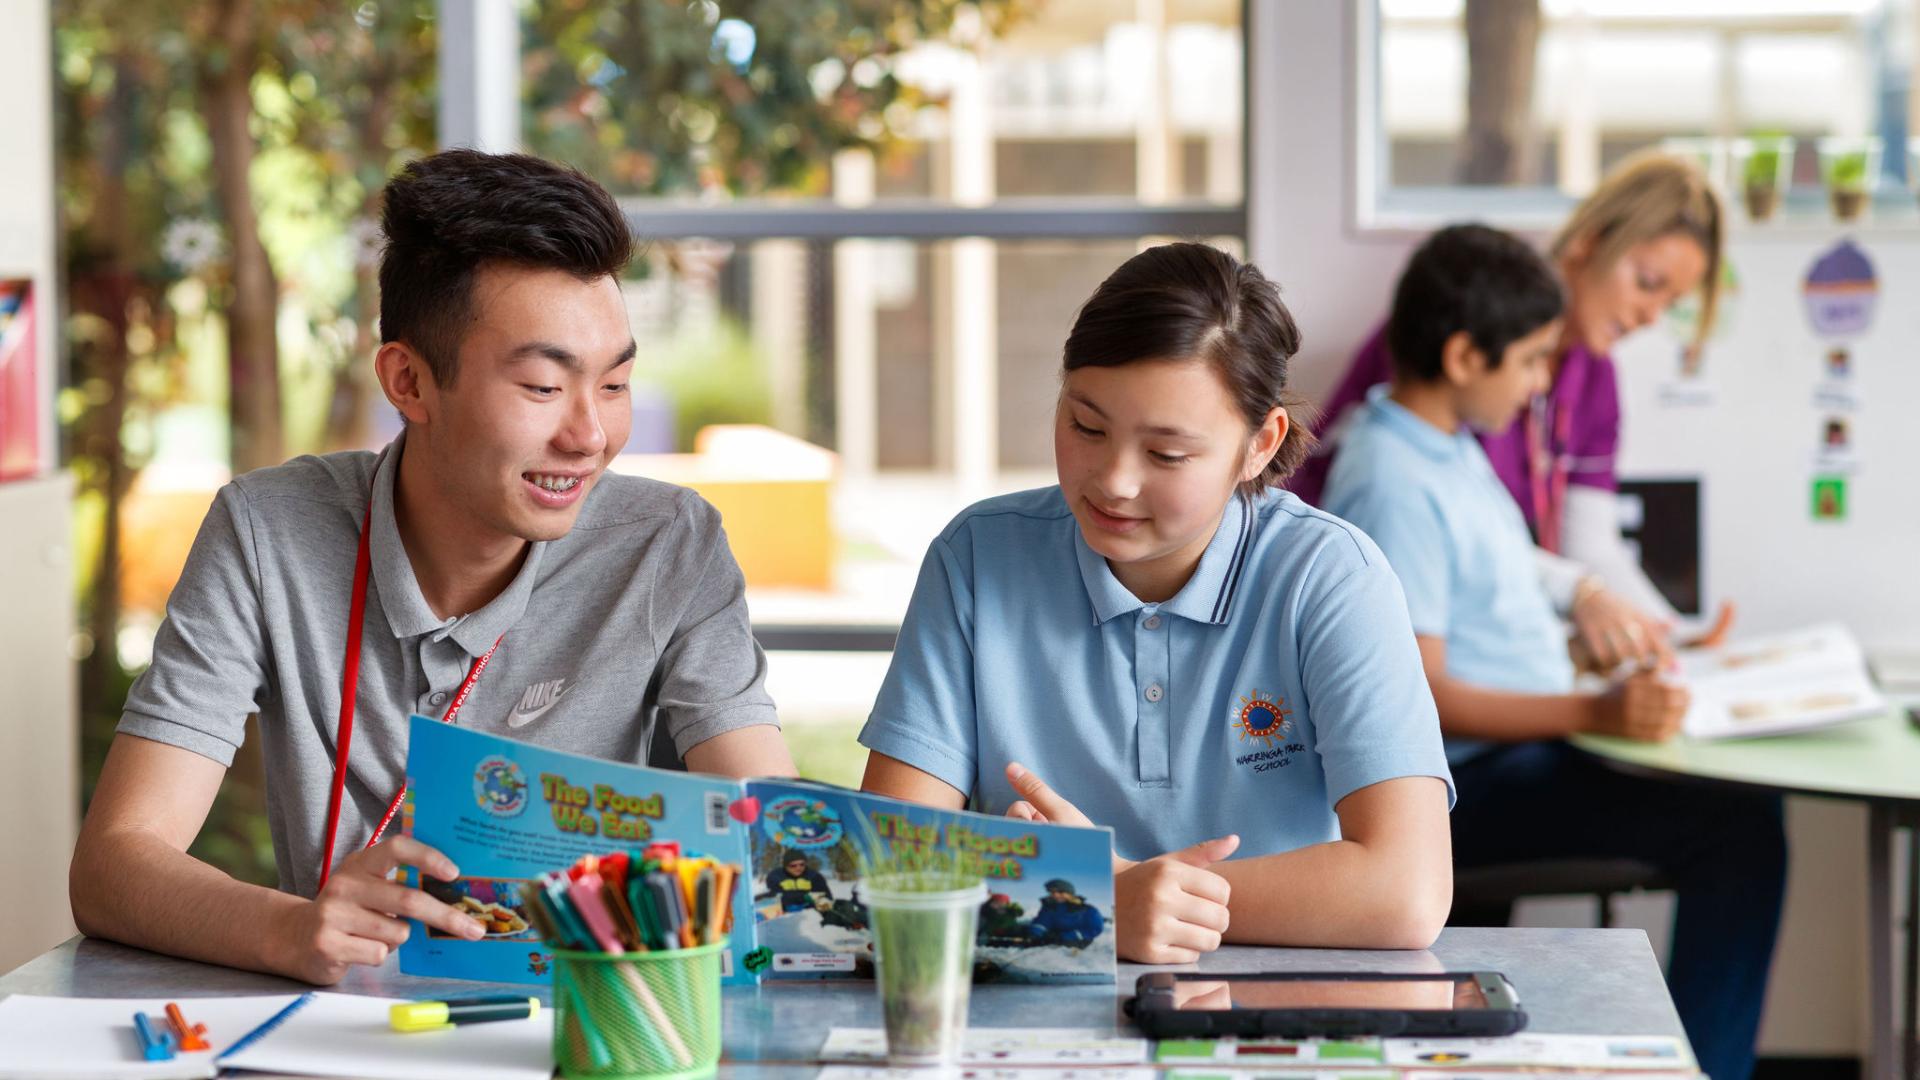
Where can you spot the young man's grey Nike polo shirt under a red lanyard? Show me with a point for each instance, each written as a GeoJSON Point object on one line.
{"type": "Point", "coordinates": [635, 618]}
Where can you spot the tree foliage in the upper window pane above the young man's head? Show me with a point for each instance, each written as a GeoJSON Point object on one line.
{"type": "Point", "coordinates": [667, 97]}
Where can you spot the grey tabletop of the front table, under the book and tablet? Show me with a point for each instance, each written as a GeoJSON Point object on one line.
{"type": "Point", "coordinates": [1570, 983]}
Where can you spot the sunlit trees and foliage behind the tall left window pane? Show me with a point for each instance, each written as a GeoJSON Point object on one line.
{"type": "Point", "coordinates": [339, 97]}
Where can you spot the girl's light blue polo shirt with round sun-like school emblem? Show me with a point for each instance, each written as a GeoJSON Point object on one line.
{"type": "Point", "coordinates": [1276, 683]}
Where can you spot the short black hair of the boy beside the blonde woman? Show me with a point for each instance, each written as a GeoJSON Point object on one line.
{"type": "Point", "coordinates": [1468, 278]}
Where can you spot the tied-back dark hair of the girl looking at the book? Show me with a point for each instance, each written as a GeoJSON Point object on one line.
{"type": "Point", "coordinates": [1199, 303]}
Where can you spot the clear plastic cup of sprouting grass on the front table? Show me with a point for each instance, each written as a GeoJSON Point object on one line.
{"type": "Point", "coordinates": [924, 966]}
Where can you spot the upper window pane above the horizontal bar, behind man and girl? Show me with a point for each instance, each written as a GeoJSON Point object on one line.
{"type": "Point", "coordinates": [963, 103]}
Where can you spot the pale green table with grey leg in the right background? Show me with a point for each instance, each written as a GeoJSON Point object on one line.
{"type": "Point", "coordinates": [1873, 762]}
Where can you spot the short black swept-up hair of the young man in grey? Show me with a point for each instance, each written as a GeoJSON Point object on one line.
{"type": "Point", "coordinates": [454, 212]}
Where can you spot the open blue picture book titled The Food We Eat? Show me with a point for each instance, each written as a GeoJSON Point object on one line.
{"type": "Point", "coordinates": [506, 812]}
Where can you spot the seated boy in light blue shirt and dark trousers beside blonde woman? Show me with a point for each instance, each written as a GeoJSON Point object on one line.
{"type": "Point", "coordinates": [1472, 335]}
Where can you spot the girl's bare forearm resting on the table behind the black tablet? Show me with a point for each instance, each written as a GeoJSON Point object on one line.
{"type": "Point", "coordinates": [1341, 896]}
